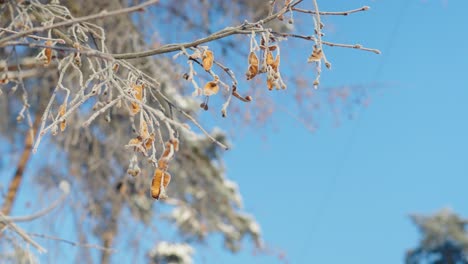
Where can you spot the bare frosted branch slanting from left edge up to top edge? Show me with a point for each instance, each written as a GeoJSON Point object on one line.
{"type": "Point", "coordinates": [100, 15]}
